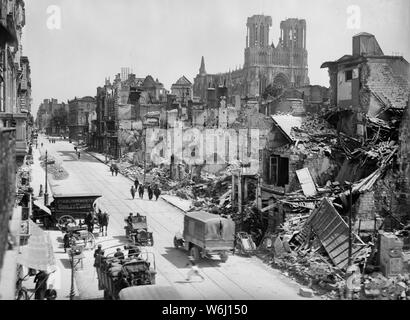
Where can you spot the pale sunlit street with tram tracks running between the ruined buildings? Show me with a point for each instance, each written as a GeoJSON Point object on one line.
{"type": "Point", "coordinates": [238, 278]}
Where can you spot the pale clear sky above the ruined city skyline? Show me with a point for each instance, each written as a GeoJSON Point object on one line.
{"type": "Point", "coordinates": [167, 38]}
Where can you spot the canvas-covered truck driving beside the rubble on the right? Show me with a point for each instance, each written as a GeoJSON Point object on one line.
{"type": "Point", "coordinates": [206, 234]}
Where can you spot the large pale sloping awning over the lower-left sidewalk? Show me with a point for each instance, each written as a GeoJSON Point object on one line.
{"type": "Point", "coordinates": [38, 253]}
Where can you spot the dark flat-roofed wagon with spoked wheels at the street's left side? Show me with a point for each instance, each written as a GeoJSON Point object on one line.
{"type": "Point", "coordinates": [67, 209]}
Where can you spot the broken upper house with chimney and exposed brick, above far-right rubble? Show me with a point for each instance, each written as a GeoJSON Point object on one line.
{"type": "Point", "coordinates": [366, 84]}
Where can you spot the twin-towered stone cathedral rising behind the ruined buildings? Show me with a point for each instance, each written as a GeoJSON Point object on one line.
{"type": "Point", "coordinates": [282, 66]}
